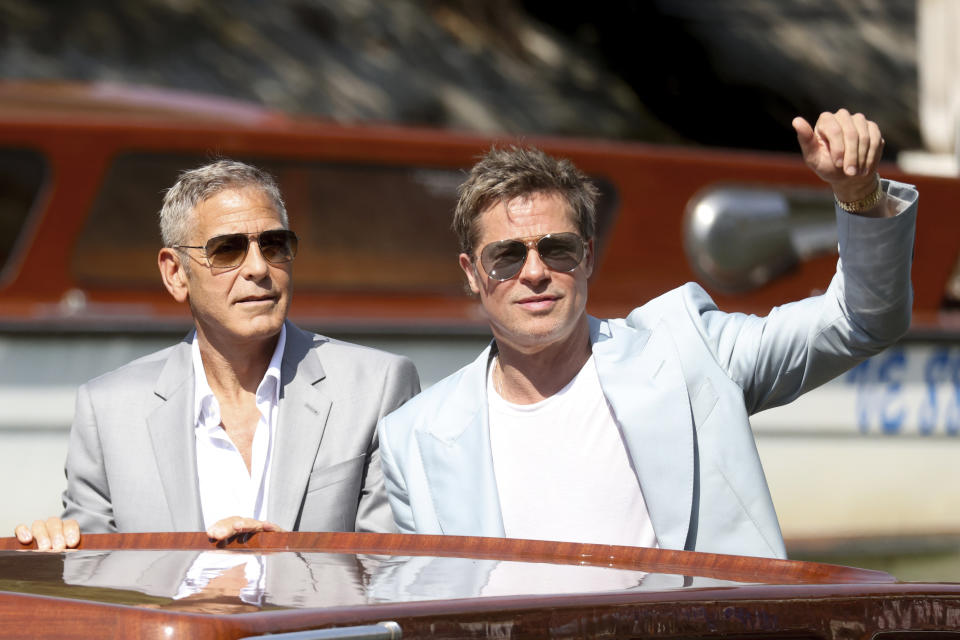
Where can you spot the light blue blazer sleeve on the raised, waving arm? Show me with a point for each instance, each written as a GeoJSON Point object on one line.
{"type": "Point", "coordinates": [803, 344]}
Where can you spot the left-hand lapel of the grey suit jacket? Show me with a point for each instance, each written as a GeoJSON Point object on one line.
{"type": "Point", "coordinates": [171, 426]}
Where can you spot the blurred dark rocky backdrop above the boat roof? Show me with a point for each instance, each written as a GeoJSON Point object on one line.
{"type": "Point", "coordinates": [731, 73]}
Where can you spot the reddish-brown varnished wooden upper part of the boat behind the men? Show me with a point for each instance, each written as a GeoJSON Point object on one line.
{"type": "Point", "coordinates": [84, 168]}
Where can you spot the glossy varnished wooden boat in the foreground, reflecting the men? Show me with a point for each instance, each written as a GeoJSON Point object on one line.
{"type": "Point", "coordinates": [346, 585]}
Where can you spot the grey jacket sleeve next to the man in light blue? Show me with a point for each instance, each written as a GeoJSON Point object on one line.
{"type": "Point", "coordinates": [400, 383]}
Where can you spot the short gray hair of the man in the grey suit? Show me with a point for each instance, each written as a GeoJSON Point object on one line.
{"type": "Point", "coordinates": [198, 185]}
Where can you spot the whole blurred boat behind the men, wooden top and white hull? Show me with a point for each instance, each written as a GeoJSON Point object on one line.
{"type": "Point", "coordinates": [871, 455]}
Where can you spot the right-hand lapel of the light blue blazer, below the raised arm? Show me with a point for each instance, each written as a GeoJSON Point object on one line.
{"type": "Point", "coordinates": [642, 379]}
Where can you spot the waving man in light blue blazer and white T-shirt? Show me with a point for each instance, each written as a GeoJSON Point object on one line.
{"type": "Point", "coordinates": [633, 431]}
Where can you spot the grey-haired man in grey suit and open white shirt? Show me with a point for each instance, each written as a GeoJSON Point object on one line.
{"type": "Point", "coordinates": [248, 424]}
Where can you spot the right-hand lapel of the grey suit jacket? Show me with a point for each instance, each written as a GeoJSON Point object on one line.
{"type": "Point", "coordinates": [301, 421]}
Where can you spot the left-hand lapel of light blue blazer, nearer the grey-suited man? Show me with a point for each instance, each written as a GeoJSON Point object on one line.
{"type": "Point", "coordinates": [457, 460]}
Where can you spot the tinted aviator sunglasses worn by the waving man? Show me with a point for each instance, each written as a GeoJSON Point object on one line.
{"type": "Point", "coordinates": [504, 259]}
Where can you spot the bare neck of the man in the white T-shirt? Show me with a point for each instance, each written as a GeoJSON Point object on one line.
{"type": "Point", "coordinates": [525, 377]}
